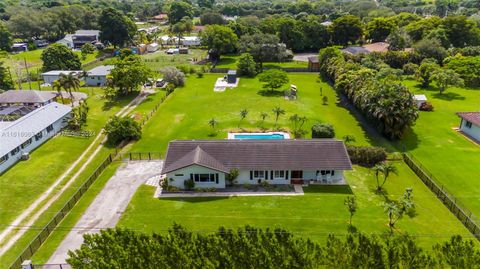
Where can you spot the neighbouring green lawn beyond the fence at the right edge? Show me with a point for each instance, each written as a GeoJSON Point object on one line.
{"type": "Point", "coordinates": [453, 159]}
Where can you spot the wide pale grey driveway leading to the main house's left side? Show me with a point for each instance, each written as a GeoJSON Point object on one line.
{"type": "Point", "coordinates": [107, 208]}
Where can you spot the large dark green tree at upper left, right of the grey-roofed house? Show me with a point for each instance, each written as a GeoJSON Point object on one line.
{"type": "Point", "coordinates": [116, 28]}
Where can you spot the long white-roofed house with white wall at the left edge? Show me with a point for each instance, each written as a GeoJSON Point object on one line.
{"type": "Point", "coordinates": [20, 137]}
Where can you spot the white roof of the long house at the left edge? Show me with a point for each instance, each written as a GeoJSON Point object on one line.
{"type": "Point", "coordinates": [19, 131]}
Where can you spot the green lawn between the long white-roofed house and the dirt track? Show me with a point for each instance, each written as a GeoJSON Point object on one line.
{"type": "Point", "coordinates": [25, 181]}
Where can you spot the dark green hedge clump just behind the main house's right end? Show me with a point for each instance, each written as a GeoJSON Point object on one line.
{"type": "Point", "coordinates": [366, 156]}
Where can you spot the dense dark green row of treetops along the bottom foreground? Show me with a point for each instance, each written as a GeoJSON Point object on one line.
{"type": "Point", "coordinates": [251, 247]}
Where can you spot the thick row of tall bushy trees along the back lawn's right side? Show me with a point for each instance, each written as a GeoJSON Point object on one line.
{"type": "Point", "coordinates": [385, 102]}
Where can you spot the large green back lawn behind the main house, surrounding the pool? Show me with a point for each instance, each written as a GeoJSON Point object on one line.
{"type": "Point", "coordinates": [186, 112]}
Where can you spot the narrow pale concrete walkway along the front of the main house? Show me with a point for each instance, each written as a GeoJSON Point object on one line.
{"type": "Point", "coordinates": [298, 190]}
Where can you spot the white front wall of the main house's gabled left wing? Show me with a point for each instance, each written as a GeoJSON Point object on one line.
{"type": "Point", "coordinates": [180, 175]}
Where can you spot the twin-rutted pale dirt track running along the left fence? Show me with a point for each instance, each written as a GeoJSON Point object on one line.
{"type": "Point", "coordinates": [22, 217]}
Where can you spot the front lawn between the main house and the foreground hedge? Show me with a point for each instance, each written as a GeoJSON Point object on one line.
{"type": "Point", "coordinates": [320, 212]}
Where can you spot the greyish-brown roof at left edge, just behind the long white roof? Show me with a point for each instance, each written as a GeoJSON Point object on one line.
{"type": "Point", "coordinates": [26, 96]}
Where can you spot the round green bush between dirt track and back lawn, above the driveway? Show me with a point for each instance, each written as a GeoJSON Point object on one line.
{"type": "Point", "coordinates": [120, 129]}
